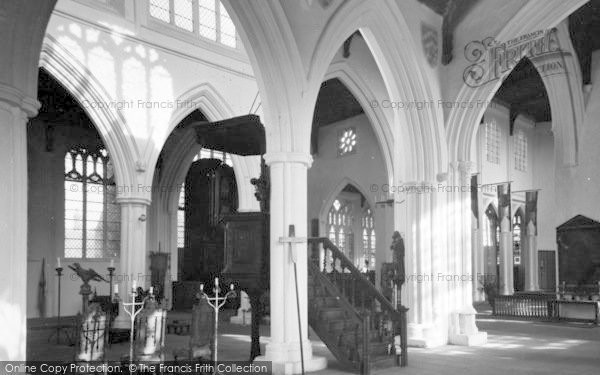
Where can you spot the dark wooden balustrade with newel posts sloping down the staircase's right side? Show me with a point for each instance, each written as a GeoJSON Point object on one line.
{"type": "Point", "coordinates": [383, 319]}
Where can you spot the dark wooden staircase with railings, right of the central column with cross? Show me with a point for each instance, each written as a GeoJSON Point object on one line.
{"type": "Point", "coordinates": [356, 322]}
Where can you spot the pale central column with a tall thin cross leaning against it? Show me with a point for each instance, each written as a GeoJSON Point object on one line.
{"type": "Point", "coordinates": [288, 207]}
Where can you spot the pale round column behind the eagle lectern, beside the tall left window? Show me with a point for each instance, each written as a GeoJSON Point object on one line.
{"type": "Point", "coordinates": [134, 256]}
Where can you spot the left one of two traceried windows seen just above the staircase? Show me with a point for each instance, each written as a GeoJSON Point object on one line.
{"type": "Point", "coordinates": [339, 222]}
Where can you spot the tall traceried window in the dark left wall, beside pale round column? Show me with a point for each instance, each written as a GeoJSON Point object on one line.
{"type": "Point", "coordinates": [92, 215]}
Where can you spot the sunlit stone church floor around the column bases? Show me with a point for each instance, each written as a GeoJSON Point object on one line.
{"type": "Point", "coordinates": [514, 347]}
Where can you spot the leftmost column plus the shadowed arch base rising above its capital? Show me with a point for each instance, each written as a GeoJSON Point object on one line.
{"type": "Point", "coordinates": [23, 24]}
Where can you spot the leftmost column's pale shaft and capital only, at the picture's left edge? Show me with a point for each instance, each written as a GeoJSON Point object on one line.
{"type": "Point", "coordinates": [14, 113]}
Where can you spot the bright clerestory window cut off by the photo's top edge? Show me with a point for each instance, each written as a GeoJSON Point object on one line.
{"type": "Point", "coordinates": [207, 18]}
